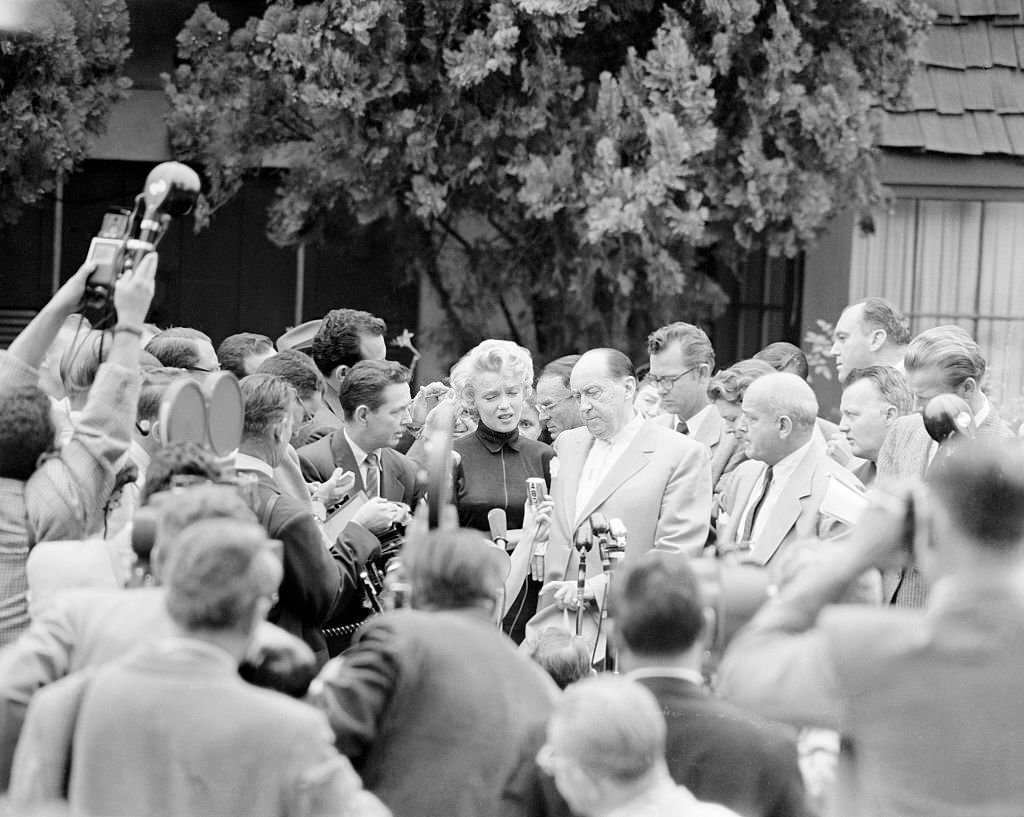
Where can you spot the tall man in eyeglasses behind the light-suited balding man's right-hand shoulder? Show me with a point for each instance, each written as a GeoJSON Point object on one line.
{"type": "Point", "coordinates": [682, 362]}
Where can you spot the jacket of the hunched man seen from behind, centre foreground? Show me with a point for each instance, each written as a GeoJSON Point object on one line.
{"type": "Point", "coordinates": [440, 714]}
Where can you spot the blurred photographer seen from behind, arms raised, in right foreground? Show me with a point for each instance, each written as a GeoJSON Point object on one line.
{"type": "Point", "coordinates": [929, 700]}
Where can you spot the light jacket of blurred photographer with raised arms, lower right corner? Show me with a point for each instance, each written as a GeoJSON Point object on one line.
{"type": "Point", "coordinates": [930, 699]}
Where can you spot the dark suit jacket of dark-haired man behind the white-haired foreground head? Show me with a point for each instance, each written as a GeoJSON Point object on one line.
{"type": "Point", "coordinates": [726, 755]}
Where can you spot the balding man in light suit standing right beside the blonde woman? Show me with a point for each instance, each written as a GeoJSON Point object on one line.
{"type": "Point", "coordinates": [656, 481]}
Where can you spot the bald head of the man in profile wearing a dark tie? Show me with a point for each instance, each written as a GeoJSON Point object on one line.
{"type": "Point", "coordinates": [780, 413]}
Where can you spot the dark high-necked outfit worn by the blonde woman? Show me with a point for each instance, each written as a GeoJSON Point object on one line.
{"type": "Point", "coordinates": [493, 474]}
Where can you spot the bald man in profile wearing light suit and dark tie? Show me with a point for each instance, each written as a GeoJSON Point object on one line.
{"type": "Point", "coordinates": [789, 490]}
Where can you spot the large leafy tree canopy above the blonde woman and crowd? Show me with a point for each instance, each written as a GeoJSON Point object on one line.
{"type": "Point", "coordinates": [557, 159]}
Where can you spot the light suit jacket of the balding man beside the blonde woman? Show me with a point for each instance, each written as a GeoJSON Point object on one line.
{"type": "Point", "coordinates": [660, 488]}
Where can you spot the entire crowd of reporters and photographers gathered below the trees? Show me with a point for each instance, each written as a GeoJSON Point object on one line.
{"type": "Point", "coordinates": [192, 632]}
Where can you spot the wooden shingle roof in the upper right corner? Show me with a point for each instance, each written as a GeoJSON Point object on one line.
{"type": "Point", "coordinates": [967, 98]}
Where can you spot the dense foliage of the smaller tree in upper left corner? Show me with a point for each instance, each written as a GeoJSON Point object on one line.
{"type": "Point", "coordinates": [59, 78]}
